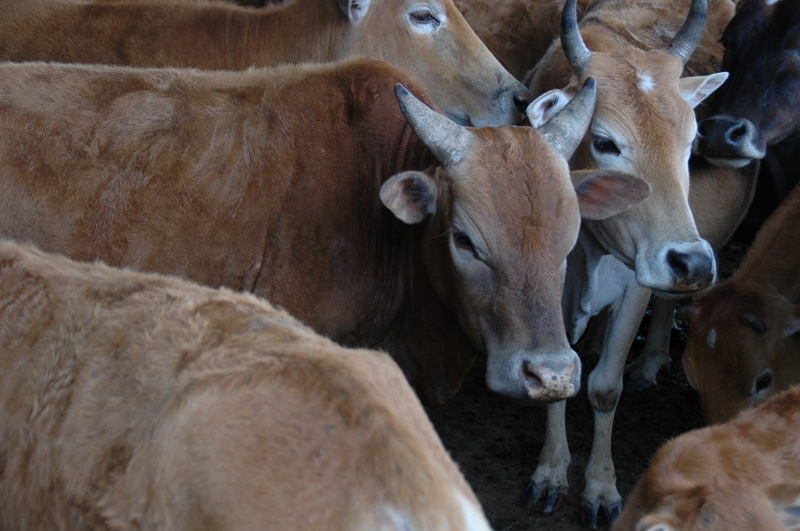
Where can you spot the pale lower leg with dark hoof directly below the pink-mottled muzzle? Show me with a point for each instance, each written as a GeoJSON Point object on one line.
{"type": "Point", "coordinates": [549, 480]}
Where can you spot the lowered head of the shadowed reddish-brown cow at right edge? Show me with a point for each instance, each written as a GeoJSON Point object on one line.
{"type": "Point", "coordinates": [742, 348]}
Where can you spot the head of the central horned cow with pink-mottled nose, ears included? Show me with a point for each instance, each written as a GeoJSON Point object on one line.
{"type": "Point", "coordinates": [502, 214]}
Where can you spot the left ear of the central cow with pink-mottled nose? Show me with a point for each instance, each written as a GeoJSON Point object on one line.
{"type": "Point", "coordinates": [411, 196]}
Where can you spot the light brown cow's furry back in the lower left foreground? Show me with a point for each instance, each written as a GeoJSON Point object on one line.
{"type": "Point", "coordinates": [139, 401]}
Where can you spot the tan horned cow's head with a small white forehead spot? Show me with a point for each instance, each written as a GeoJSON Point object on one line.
{"type": "Point", "coordinates": [643, 124]}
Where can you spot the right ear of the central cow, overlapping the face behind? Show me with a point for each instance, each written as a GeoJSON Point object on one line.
{"type": "Point", "coordinates": [604, 193]}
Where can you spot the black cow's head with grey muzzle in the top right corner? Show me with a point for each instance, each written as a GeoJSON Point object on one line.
{"type": "Point", "coordinates": [759, 105]}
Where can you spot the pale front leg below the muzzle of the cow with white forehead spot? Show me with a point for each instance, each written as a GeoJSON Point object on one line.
{"type": "Point", "coordinates": [605, 387]}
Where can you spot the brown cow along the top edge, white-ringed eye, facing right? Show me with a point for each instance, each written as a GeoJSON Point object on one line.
{"type": "Point", "coordinates": [461, 75]}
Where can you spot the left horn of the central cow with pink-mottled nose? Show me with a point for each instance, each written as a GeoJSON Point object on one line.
{"type": "Point", "coordinates": [447, 140]}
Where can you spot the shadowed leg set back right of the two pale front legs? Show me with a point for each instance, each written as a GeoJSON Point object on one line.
{"type": "Point", "coordinates": [641, 373]}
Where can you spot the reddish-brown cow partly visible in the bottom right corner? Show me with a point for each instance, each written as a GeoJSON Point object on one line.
{"type": "Point", "coordinates": [738, 475]}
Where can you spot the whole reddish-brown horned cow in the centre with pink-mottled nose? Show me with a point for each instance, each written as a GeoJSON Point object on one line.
{"type": "Point", "coordinates": [306, 186]}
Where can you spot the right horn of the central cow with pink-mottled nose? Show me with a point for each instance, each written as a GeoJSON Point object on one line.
{"type": "Point", "coordinates": [565, 130]}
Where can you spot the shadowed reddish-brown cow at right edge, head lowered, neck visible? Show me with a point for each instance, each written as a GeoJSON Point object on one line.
{"type": "Point", "coordinates": [744, 333]}
